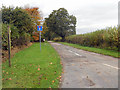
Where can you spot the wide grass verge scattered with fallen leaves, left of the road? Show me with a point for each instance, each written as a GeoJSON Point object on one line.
{"type": "Point", "coordinates": [25, 72]}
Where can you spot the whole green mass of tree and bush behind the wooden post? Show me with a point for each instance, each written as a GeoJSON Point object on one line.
{"type": "Point", "coordinates": [21, 26]}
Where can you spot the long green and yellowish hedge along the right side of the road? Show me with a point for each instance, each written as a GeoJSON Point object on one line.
{"type": "Point", "coordinates": [105, 38]}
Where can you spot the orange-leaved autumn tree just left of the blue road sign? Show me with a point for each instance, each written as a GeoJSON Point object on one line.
{"type": "Point", "coordinates": [36, 16]}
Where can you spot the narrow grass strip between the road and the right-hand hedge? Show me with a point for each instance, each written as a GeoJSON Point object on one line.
{"type": "Point", "coordinates": [92, 49]}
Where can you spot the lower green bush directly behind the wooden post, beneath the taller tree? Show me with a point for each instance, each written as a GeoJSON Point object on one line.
{"type": "Point", "coordinates": [16, 38]}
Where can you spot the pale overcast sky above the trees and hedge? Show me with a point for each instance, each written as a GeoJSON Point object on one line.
{"type": "Point", "coordinates": [91, 15]}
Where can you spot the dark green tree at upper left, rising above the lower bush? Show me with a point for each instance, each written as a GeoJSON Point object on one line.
{"type": "Point", "coordinates": [19, 18]}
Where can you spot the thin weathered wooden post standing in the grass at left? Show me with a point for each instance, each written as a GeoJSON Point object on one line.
{"type": "Point", "coordinates": [9, 46]}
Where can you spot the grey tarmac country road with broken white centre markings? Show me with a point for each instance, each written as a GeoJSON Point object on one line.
{"type": "Point", "coordinates": [83, 69]}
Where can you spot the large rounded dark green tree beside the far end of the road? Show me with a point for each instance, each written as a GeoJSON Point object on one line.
{"type": "Point", "coordinates": [61, 23]}
